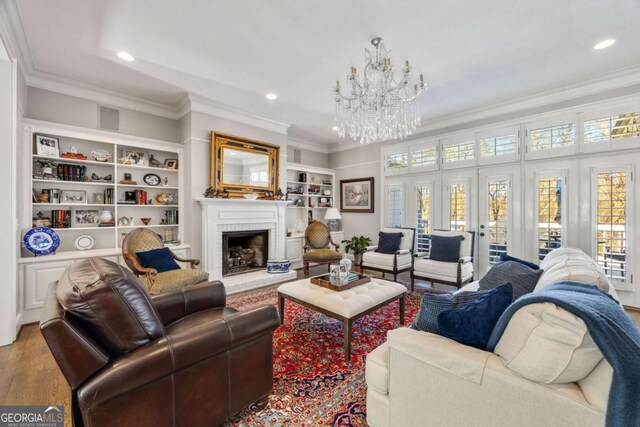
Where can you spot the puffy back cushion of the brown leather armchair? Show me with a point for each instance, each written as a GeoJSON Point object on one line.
{"type": "Point", "coordinates": [111, 304]}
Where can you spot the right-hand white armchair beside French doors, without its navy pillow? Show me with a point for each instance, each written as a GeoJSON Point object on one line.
{"type": "Point", "coordinates": [456, 273]}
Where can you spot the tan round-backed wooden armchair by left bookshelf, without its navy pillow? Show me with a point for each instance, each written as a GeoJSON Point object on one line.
{"type": "Point", "coordinates": [144, 240]}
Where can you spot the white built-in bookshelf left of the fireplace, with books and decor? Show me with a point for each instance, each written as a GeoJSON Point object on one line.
{"type": "Point", "coordinates": [94, 175]}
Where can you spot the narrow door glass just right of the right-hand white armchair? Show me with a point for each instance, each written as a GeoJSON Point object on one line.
{"type": "Point", "coordinates": [498, 222]}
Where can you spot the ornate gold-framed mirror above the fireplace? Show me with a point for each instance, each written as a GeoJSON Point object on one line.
{"type": "Point", "coordinates": [241, 166]}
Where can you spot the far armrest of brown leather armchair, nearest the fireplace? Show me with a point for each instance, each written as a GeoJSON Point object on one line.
{"type": "Point", "coordinates": [175, 305]}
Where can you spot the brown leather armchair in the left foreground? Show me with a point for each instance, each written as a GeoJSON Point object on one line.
{"type": "Point", "coordinates": [177, 359]}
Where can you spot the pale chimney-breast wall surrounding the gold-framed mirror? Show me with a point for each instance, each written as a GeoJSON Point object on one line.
{"type": "Point", "coordinates": [198, 127]}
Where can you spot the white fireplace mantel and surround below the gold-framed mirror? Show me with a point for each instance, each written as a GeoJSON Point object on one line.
{"type": "Point", "coordinates": [221, 215]}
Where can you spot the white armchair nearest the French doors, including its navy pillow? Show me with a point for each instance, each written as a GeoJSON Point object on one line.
{"type": "Point", "coordinates": [450, 259]}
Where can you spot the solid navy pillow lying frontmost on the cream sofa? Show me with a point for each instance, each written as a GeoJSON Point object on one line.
{"type": "Point", "coordinates": [473, 324]}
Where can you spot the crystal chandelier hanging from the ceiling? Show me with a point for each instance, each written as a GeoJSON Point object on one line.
{"type": "Point", "coordinates": [378, 107]}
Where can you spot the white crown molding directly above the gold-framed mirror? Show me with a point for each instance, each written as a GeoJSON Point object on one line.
{"type": "Point", "coordinates": [209, 106]}
